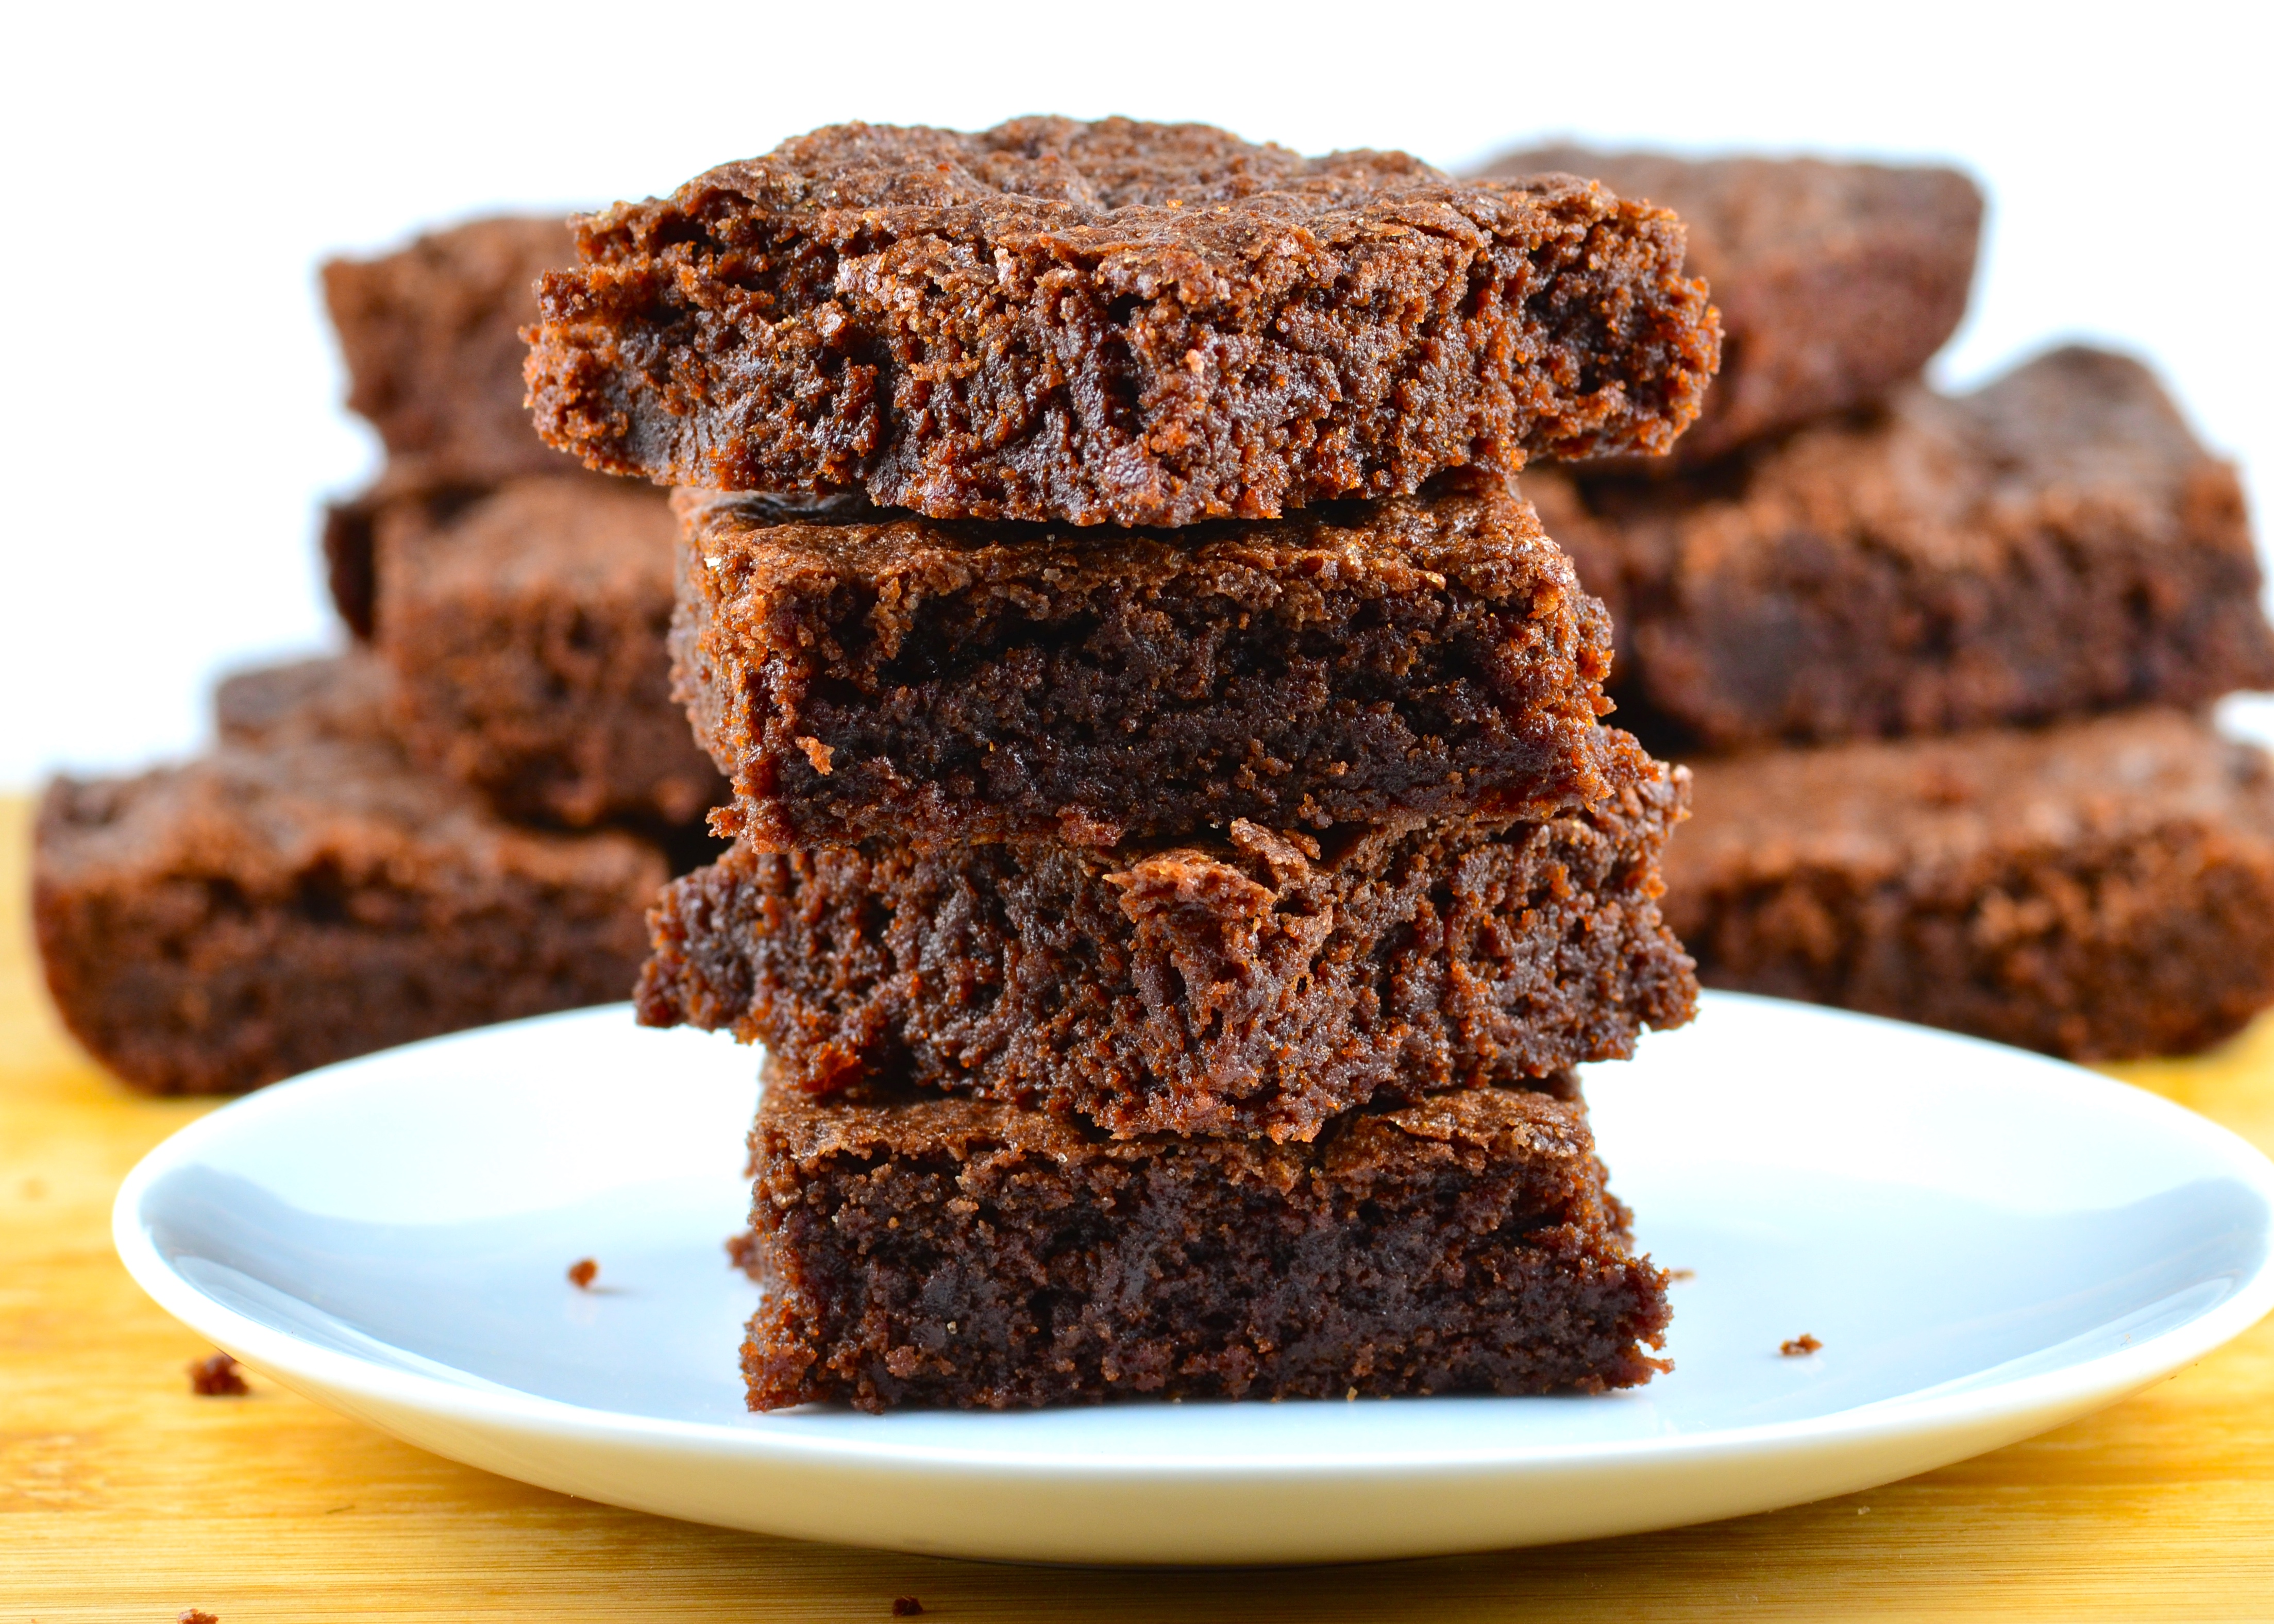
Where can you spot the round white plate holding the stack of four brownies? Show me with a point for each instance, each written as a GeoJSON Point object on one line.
{"type": "Point", "coordinates": [1984, 1241]}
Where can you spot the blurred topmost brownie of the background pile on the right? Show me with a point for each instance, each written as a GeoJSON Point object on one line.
{"type": "Point", "coordinates": [1834, 281]}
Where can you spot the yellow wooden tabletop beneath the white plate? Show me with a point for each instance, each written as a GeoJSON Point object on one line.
{"type": "Point", "coordinates": [126, 1498]}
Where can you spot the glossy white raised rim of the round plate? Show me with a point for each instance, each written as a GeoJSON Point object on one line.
{"type": "Point", "coordinates": [283, 1354]}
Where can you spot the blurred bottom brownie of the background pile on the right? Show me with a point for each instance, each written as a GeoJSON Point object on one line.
{"type": "Point", "coordinates": [2095, 890]}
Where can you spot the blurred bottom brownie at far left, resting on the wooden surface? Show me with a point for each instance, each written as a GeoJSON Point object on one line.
{"type": "Point", "coordinates": [304, 900]}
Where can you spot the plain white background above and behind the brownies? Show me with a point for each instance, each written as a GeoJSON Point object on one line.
{"type": "Point", "coordinates": [169, 408]}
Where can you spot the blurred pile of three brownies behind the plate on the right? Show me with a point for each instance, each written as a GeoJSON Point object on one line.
{"type": "Point", "coordinates": [1939, 661]}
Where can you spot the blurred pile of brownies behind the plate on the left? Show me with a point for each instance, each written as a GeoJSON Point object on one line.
{"type": "Point", "coordinates": [458, 822]}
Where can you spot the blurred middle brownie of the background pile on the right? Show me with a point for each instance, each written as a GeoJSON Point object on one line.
{"type": "Point", "coordinates": [2055, 542]}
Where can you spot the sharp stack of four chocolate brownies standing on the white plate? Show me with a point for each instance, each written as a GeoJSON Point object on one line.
{"type": "Point", "coordinates": [1177, 856]}
